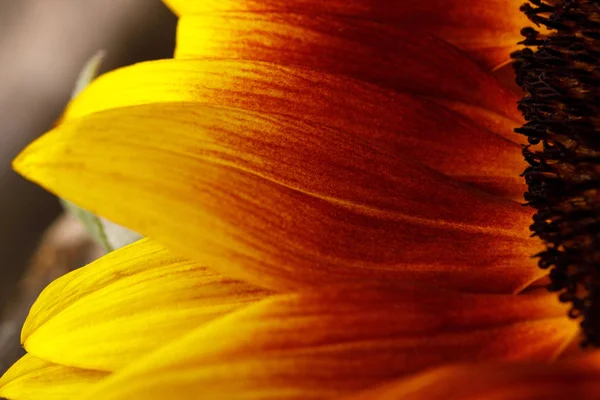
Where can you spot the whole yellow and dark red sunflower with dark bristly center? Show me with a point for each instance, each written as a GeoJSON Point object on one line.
{"type": "Point", "coordinates": [331, 196]}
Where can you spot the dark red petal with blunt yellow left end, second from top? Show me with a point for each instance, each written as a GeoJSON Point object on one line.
{"type": "Point", "coordinates": [384, 54]}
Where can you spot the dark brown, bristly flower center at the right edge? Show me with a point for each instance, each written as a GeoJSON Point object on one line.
{"type": "Point", "coordinates": [560, 74]}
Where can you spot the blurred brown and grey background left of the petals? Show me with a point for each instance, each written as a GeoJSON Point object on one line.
{"type": "Point", "coordinates": [43, 47]}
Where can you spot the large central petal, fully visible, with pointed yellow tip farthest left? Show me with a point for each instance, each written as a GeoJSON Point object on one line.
{"type": "Point", "coordinates": [279, 202]}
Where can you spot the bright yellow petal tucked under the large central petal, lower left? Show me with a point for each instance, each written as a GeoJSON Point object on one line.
{"type": "Point", "coordinates": [125, 305]}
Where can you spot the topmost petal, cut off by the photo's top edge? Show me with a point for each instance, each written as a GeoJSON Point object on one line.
{"type": "Point", "coordinates": [488, 31]}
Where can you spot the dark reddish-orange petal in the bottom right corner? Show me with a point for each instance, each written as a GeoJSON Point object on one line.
{"type": "Point", "coordinates": [577, 379]}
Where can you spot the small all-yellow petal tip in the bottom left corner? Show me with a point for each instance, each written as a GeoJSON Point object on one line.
{"type": "Point", "coordinates": [32, 378]}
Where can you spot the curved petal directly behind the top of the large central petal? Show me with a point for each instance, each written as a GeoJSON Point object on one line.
{"type": "Point", "coordinates": [399, 123]}
